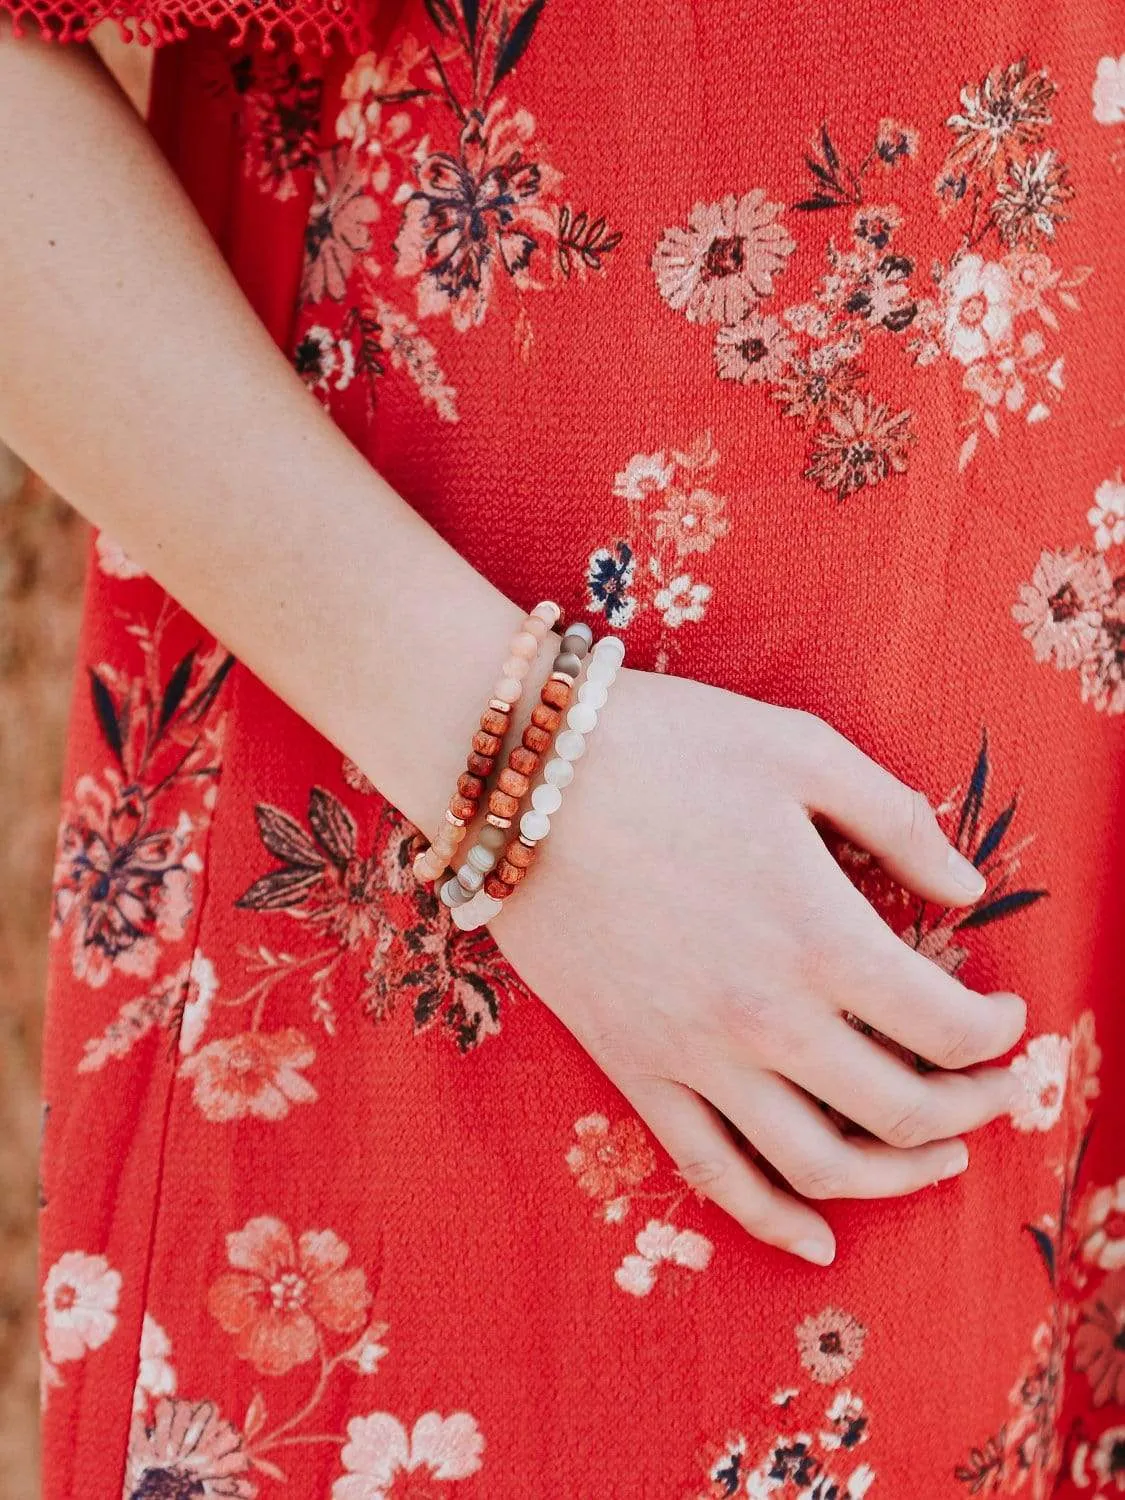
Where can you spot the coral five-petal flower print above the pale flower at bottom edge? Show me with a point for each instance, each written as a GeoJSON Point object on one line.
{"type": "Point", "coordinates": [281, 1294]}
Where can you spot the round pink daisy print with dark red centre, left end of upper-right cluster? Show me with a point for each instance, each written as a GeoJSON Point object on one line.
{"type": "Point", "coordinates": [725, 260]}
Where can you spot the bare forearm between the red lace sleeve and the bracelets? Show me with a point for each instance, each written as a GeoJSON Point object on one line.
{"type": "Point", "coordinates": [140, 385]}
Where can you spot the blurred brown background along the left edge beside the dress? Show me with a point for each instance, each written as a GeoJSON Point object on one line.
{"type": "Point", "coordinates": [43, 553]}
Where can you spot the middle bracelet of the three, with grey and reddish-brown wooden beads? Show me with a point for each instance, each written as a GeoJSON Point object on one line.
{"type": "Point", "coordinates": [515, 779]}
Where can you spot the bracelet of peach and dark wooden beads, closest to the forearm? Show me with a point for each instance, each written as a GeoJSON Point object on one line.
{"type": "Point", "coordinates": [496, 722]}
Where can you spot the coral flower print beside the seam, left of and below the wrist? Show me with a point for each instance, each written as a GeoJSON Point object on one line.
{"type": "Point", "coordinates": [254, 1073]}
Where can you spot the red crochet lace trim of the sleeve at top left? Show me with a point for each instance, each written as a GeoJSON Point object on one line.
{"type": "Point", "coordinates": [304, 25]}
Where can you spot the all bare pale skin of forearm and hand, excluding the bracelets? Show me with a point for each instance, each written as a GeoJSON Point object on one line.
{"type": "Point", "coordinates": [686, 922]}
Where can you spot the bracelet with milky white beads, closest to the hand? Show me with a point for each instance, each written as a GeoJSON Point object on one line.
{"type": "Point", "coordinates": [535, 826]}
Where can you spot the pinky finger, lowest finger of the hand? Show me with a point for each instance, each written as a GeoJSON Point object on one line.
{"type": "Point", "coordinates": [710, 1162]}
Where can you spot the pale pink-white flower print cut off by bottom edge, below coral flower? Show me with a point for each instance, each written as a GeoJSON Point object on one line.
{"type": "Point", "coordinates": [380, 1450]}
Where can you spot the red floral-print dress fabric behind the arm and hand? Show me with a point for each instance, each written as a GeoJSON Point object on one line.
{"type": "Point", "coordinates": [787, 343]}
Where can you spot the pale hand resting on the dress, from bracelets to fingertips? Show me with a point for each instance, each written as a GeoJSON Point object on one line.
{"type": "Point", "coordinates": [689, 926]}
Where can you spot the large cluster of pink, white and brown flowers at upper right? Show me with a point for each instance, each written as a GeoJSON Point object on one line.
{"type": "Point", "coordinates": [991, 307]}
